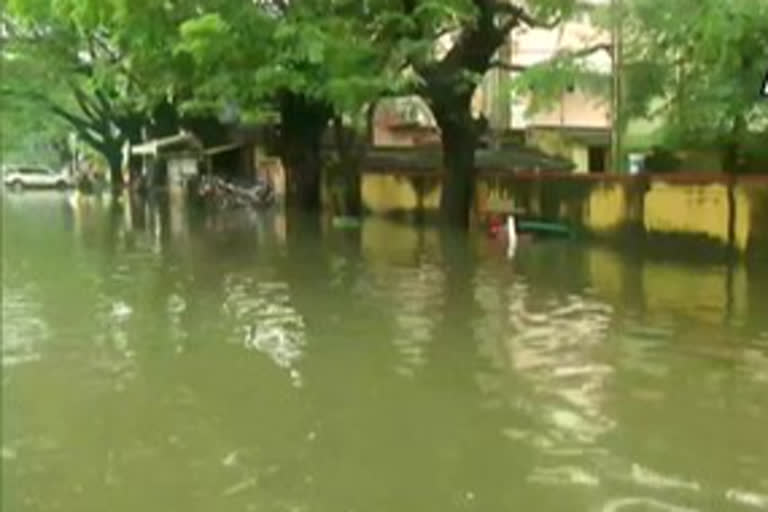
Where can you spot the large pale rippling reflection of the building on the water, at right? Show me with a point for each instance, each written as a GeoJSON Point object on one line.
{"type": "Point", "coordinates": [551, 344]}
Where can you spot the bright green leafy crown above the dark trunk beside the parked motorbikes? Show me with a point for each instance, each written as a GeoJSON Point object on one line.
{"type": "Point", "coordinates": [322, 50]}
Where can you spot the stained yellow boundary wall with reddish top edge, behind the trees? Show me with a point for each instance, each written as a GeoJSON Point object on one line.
{"type": "Point", "coordinates": [599, 206]}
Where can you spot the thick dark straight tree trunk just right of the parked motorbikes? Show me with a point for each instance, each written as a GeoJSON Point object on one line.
{"type": "Point", "coordinates": [303, 124]}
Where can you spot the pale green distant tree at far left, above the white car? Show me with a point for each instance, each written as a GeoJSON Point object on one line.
{"type": "Point", "coordinates": [50, 69]}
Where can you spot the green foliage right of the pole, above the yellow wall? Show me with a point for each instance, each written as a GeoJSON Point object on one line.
{"type": "Point", "coordinates": [705, 59]}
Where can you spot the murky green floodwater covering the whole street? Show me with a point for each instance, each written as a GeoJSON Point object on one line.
{"type": "Point", "coordinates": [155, 360]}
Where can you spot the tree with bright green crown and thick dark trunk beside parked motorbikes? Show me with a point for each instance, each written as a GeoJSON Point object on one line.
{"type": "Point", "coordinates": [302, 64]}
